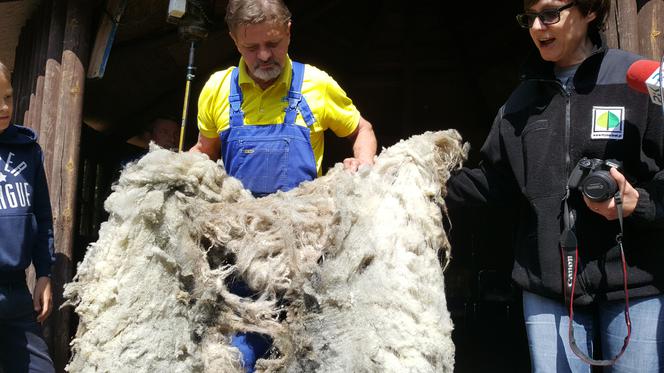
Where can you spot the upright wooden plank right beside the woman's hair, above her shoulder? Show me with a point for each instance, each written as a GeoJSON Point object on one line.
{"type": "Point", "coordinates": [622, 28]}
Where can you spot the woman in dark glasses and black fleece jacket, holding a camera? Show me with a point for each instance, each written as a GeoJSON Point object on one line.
{"type": "Point", "coordinates": [592, 271]}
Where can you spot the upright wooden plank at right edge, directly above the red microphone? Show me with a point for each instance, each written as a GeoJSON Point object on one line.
{"type": "Point", "coordinates": [651, 29]}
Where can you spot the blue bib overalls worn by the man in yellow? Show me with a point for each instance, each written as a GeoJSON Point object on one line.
{"type": "Point", "coordinates": [268, 158]}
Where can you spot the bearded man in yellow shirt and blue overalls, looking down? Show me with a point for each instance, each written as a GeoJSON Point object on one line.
{"type": "Point", "coordinates": [266, 117]}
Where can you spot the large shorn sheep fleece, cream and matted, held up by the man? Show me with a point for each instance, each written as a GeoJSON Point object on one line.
{"type": "Point", "coordinates": [345, 269]}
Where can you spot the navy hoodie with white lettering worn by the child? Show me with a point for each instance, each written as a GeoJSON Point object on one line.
{"type": "Point", "coordinates": [26, 225]}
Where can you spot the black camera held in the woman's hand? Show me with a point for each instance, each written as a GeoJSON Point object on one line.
{"type": "Point", "coordinates": [591, 176]}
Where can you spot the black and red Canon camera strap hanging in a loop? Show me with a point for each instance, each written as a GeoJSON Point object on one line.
{"type": "Point", "coordinates": [570, 255]}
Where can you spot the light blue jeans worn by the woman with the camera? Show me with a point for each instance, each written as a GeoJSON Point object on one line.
{"type": "Point", "coordinates": [547, 329]}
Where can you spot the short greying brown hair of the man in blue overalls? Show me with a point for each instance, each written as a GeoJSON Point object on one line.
{"type": "Point", "coordinates": [251, 12]}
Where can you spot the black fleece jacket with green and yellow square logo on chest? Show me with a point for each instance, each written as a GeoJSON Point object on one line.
{"type": "Point", "coordinates": [537, 138]}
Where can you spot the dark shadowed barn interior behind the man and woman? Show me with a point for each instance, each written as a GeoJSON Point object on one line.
{"type": "Point", "coordinates": [409, 68]}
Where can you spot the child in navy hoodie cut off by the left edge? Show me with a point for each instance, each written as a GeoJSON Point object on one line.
{"type": "Point", "coordinates": [26, 236]}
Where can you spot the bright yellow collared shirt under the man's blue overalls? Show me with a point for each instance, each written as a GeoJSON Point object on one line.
{"type": "Point", "coordinates": [327, 101]}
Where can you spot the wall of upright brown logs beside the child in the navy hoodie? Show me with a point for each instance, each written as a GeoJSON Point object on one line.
{"type": "Point", "coordinates": [49, 80]}
